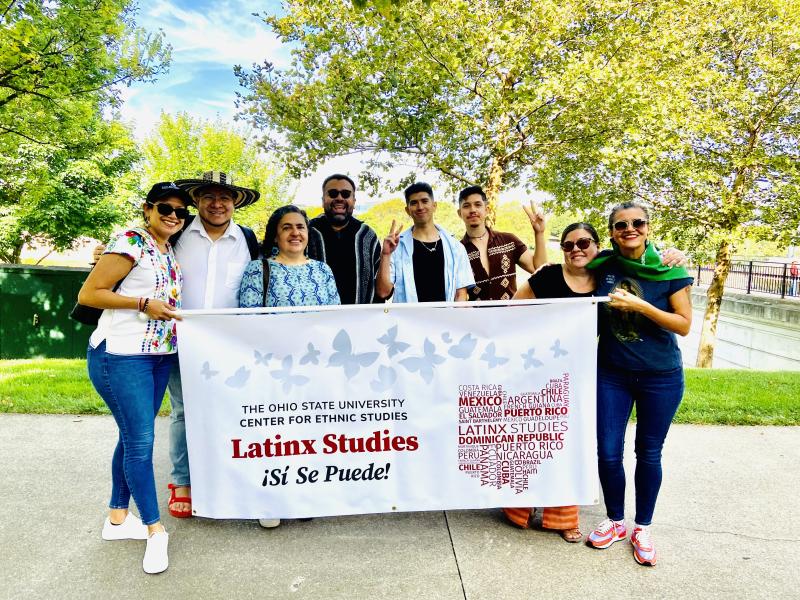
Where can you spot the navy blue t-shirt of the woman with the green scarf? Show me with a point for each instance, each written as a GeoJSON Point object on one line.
{"type": "Point", "coordinates": [629, 340]}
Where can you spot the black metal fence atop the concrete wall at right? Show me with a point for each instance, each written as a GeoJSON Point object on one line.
{"type": "Point", "coordinates": [753, 276]}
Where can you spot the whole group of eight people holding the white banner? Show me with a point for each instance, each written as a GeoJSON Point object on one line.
{"type": "Point", "coordinates": [176, 260]}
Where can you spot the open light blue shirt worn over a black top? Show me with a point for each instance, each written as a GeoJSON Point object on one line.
{"type": "Point", "coordinates": [457, 272]}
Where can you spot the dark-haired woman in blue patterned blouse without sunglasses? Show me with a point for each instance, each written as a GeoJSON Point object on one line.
{"type": "Point", "coordinates": [294, 279]}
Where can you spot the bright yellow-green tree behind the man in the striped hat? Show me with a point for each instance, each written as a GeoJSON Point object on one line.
{"type": "Point", "coordinates": [182, 147]}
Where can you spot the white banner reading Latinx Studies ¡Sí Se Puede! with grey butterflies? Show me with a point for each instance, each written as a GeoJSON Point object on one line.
{"type": "Point", "coordinates": [351, 410]}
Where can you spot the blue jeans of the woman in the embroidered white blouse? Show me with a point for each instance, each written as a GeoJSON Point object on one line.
{"type": "Point", "coordinates": [132, 385]}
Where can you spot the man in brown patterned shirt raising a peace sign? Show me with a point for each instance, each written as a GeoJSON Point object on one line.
{"type": "Point", "coordinates": [494, 255]}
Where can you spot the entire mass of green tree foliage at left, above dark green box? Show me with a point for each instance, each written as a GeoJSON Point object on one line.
{"type": "Point", "coordinates": [64, 161]}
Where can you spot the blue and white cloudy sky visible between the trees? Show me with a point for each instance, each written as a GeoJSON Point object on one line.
{"type": "Point", "coordinates": [208, 38]}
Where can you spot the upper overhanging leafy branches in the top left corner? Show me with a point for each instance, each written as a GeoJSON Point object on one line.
{"type": "Point", "coordinates": [63, 63]}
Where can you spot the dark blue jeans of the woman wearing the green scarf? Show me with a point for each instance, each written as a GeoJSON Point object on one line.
{"type": "Point", "coordinates": [657, 396]}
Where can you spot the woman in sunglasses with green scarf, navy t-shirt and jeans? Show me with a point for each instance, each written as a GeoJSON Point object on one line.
{"type": "Point", "coordinates": [639, 363]}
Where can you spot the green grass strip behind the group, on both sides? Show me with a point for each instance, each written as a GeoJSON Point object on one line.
{"type": "Point", "coordinates": [722, 397]}
